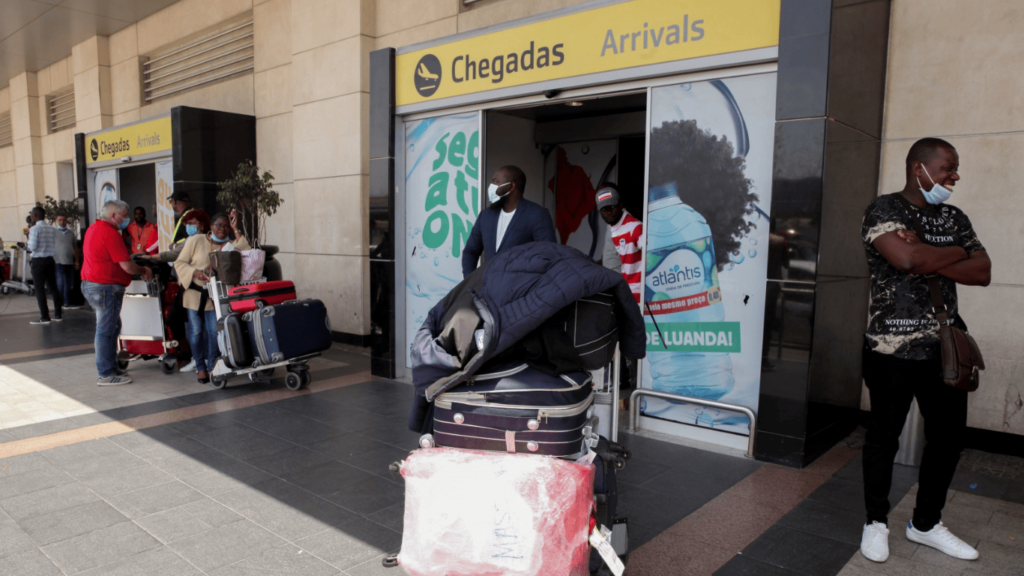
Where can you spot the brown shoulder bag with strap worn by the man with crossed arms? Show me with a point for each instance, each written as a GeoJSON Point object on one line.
{"type": "Point", "coordinates": [962, 359]}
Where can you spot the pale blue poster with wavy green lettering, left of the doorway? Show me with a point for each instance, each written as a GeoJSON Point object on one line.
{"type": "Point", "coordinates": [443, 200]}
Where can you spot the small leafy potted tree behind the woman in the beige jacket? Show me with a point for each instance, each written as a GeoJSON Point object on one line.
{"type": "Point", "coordinates": [252, 195]}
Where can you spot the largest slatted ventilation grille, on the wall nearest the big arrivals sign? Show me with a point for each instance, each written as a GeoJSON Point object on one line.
{"type": "Point", "coordinates": [216, 56]}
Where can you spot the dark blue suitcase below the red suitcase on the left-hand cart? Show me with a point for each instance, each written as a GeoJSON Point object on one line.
{"type": "Point", "coordinates": [288, 331]}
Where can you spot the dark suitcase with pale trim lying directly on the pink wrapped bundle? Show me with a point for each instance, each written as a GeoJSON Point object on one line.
{"type": "Point", "coordinates": [517, 409]}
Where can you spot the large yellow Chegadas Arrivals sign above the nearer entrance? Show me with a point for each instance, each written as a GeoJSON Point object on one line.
{"type": "Point", "coordinates": [626, 35]}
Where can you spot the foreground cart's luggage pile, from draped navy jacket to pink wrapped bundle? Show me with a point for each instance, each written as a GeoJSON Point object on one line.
{"type": "Point", "coordinates": [517, 380]}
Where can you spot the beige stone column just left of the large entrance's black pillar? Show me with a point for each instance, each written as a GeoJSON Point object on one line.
{"type": "Point", "coordinates": [330, 97]}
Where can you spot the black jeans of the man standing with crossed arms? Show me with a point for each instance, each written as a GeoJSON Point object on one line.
{"type": "Point", "coordinates": [893, 384]}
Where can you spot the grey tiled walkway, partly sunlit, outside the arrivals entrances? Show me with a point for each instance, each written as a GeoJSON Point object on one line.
{"type": "Point", "coordinates": [170, 477]}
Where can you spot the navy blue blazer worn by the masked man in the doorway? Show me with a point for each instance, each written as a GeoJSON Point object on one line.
{"type": "Point", "coordinates": [531, 224]}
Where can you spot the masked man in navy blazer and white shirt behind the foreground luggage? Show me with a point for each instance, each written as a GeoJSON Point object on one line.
{"type": "Point", "coordinates": [509, 222]}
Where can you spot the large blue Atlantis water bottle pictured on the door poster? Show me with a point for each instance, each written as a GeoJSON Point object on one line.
{"type": "Point", "coordinates": [682, 286]}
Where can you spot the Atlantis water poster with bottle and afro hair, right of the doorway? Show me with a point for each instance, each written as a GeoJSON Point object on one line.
{"type": "Point", "coordinates": [707, 241]}
